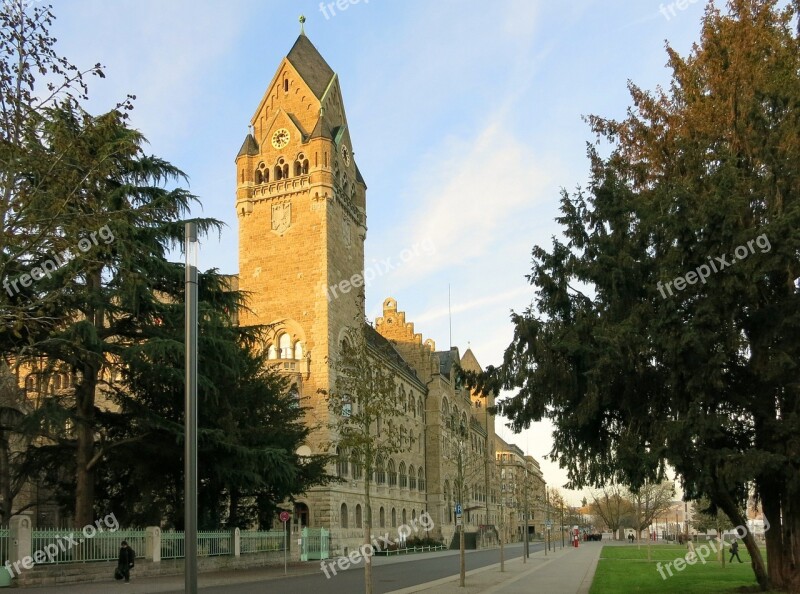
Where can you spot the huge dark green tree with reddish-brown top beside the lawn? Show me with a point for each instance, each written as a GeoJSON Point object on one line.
{"type": "Point", "coordinates": [647, 344]}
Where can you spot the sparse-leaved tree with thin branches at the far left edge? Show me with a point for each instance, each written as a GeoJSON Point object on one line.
{"type": "Point", "coordinates": [33, 79]}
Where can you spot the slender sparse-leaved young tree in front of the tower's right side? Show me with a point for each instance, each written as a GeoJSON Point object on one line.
{"type": "Point", "coordinates": [364, 409]}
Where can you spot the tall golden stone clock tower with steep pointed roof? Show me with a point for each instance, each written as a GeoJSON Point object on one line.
{"type": "Point", "coordinates": [301, 208]}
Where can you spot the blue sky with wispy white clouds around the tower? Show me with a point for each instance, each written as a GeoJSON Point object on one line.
{"type": "Point", "coordinates": [465, 117]}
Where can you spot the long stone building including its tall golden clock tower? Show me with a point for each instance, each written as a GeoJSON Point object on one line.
{"type": "Point", "coordinates": [302, 212]}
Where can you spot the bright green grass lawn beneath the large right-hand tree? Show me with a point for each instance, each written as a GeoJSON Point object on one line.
{"type": "Point", "coordinates": [626, 569]}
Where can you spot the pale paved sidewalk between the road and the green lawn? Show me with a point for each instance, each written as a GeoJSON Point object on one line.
{"type": "Point", "coordinates": [565, 571]}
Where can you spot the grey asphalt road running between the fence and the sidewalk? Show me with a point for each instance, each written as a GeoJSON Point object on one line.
{"type": "Point", "coordinates": [388, 574]}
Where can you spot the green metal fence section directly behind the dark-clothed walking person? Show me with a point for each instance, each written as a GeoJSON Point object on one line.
{"type": "Point", "coordinates": [56, 546]}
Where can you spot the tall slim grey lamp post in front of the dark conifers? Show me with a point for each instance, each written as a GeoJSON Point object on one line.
{"type": "Point", "coordinates": [190, 470]}
